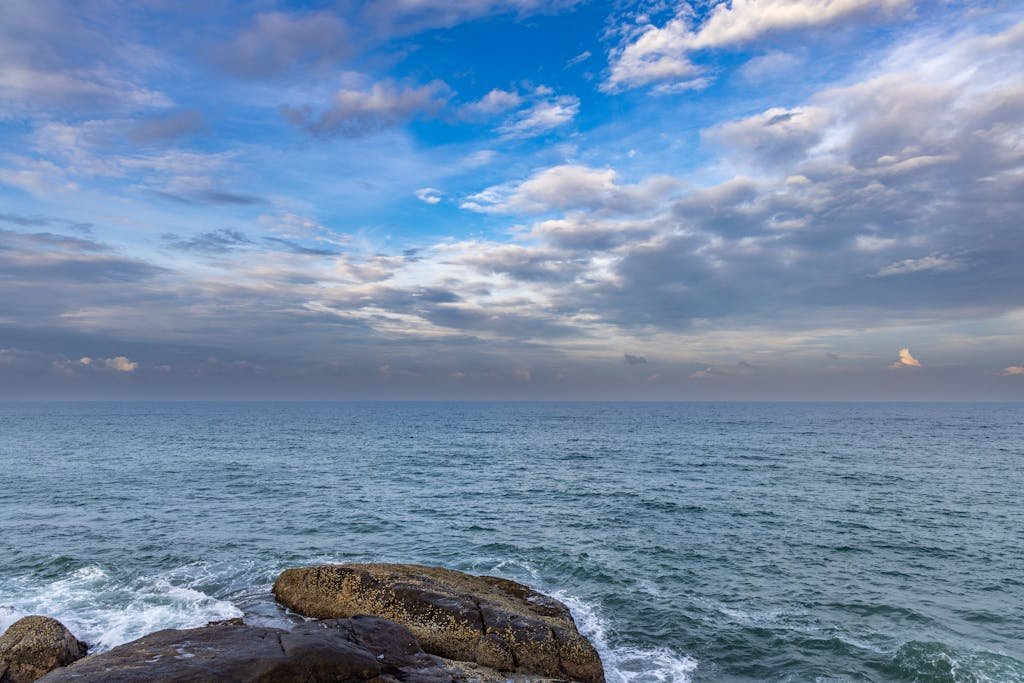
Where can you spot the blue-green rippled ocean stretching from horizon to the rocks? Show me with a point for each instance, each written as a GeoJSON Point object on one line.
{"type": "Point", "coordinates": [694, 542]}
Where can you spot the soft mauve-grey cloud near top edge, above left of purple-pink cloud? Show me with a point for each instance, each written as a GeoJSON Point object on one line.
{"type": "Point", "coordinates": [278, 44]}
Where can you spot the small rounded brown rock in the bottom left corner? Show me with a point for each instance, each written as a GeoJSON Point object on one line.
{"type": "Point", "coordinates": [34, 647]}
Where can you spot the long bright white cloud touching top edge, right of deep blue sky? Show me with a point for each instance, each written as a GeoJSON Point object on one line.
{"type": "Point", "coordinates": [664, 55]}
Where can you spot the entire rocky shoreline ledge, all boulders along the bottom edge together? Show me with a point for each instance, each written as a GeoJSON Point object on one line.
{"type": "Point", "coordinates": [370, 624]}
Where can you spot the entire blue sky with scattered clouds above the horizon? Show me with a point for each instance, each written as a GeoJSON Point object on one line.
{"type": "Point", "coordinates": [513, 200]}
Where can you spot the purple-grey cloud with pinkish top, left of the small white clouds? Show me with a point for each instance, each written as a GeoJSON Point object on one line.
{"type": "Point", "coordinates": [357, 113]}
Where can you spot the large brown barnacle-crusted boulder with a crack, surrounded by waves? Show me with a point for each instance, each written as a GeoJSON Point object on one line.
{"type": "Point", "coordinates": [492, 622]}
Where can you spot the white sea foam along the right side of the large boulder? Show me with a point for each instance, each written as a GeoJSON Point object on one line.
{"type": "Point", "coordinates": [625, 664]}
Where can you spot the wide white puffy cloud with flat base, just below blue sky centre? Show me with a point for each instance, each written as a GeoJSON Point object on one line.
{"type": "Point", "coordinates": [573, 187]}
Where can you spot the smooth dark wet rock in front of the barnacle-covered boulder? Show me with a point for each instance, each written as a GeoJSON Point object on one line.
{"type": "Point", "coordinates": [362, 649]}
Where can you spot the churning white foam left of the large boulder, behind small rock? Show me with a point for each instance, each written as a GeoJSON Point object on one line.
{"type": "Point", "coordinates": [105, 613]}
